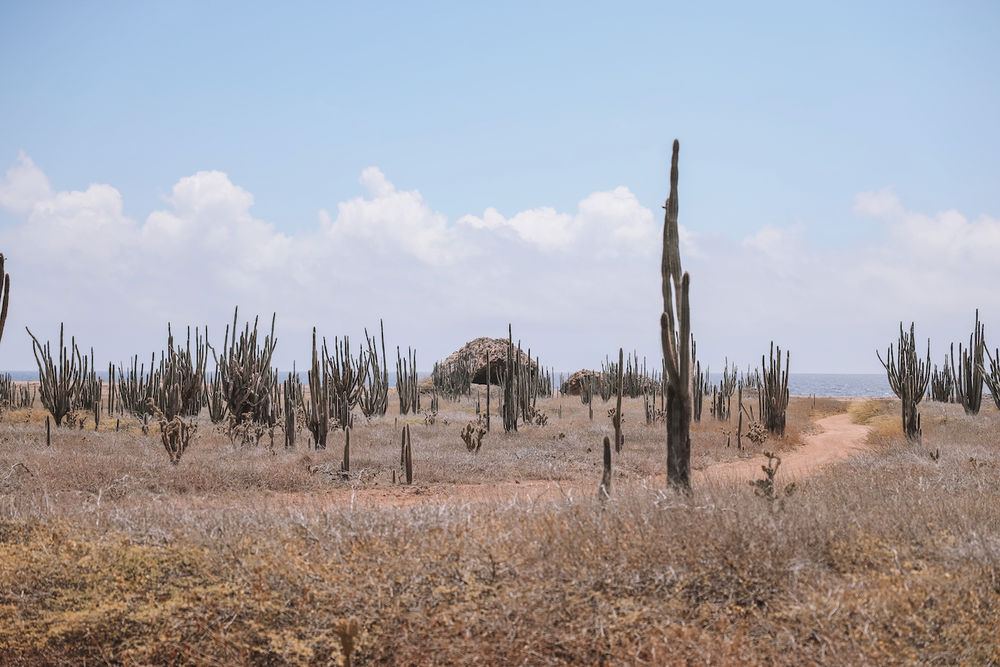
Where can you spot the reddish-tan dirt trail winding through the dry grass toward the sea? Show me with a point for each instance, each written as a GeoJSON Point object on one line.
{"type": "Point", "coordinates": [838, 440]}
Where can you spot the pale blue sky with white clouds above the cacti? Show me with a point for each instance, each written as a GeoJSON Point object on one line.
{"type": "Point", "coordinates": [449, 169]}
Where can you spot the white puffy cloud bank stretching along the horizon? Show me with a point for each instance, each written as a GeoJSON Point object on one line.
{"type": "Point", "coordinates": [575, 285]}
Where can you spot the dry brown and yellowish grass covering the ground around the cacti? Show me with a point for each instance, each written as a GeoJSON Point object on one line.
{"type": "Point", "coordinates": [109, 554]}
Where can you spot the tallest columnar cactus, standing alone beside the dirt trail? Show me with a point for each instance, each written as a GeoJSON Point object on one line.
{"type": "Point", "coordinates": [675, 337]}
